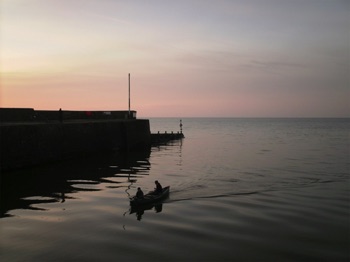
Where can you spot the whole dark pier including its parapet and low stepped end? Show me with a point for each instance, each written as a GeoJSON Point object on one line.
{"type": "Point", "coordinates": [31, 137]}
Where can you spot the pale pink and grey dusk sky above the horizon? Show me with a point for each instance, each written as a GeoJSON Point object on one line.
{"type": "Point", "coordinates": [187, 58]}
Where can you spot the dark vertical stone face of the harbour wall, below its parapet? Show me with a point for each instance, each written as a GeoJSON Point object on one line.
{"type": "Point", "coordinates": [27, 144]}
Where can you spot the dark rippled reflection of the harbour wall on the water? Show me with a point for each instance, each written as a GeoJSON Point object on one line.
{"type": "Point", "coordinates": [25, 189]}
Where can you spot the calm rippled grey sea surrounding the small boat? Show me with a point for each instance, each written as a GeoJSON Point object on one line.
{"type": "Point", "coordinates": [241, 190]}
